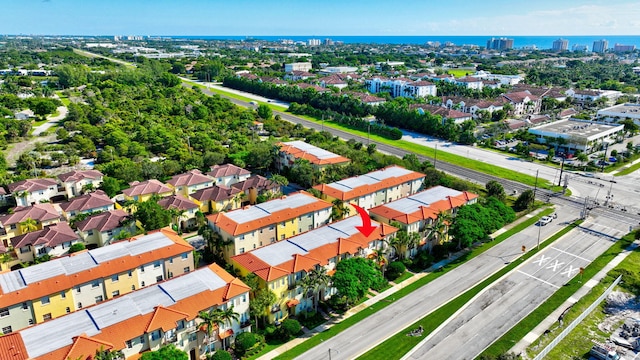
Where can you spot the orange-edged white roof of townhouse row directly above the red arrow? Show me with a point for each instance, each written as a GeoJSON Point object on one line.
{"type": "Point", "coordinates": [370, 183]}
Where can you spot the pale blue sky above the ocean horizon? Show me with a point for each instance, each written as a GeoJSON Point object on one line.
{"type": "Point", "coordinates": [327, 17]}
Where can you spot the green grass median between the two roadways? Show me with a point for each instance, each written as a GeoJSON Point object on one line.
{"type": "Point", "coordinates": [399, 344]}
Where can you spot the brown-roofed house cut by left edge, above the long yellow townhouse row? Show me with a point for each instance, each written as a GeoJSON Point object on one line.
{"type": "Point", "coordinates": [40, 214]}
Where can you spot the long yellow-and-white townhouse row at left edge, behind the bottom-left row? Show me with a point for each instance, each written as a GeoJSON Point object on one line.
{"type": "Point", "coordinates": [46, 291]}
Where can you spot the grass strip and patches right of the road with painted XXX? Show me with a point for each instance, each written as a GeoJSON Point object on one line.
{"type": "Point", "coordinates": [527, 324]}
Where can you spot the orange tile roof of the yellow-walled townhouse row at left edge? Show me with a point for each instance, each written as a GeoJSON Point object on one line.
{"type": "Point", "coordinates": [127, 261]}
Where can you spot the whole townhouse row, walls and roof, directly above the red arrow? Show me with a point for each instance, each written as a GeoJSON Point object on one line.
{"type": "Point", "coordinates": [373, 189]}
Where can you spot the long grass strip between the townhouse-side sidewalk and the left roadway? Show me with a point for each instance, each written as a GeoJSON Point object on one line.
{"type": "Point", "coordinates": [341, 326]}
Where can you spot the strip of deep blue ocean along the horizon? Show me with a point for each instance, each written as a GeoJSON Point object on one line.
{"type": "Point", "coordinates": [541, 42]}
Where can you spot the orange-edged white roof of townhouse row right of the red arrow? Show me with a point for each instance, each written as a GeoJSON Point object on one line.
{"type": "Point", "coordinates": [423, 205]}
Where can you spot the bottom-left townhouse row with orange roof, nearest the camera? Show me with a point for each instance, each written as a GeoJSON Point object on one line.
{"type": "Point", "coordinates": [141, 321]}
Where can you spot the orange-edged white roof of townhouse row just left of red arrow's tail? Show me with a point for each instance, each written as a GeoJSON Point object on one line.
{"type": "Point", "coordinates": [267, 213]}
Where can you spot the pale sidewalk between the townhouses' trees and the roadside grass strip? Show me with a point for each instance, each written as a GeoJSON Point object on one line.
{"type": "Point", "coordinates": [383, 295]}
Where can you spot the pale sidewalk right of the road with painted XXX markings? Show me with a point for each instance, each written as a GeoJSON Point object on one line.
{"type": "Point", "coordinates": [552, 319]}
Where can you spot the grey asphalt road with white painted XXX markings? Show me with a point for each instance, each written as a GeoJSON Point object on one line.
{"type": "Point", "coordinates": [504, 304]}
